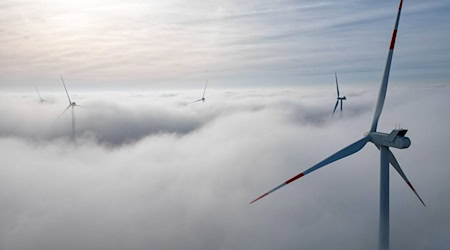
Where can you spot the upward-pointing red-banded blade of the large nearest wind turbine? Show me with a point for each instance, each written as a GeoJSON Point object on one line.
{"type": "Point", "coordinates": [385, 80]}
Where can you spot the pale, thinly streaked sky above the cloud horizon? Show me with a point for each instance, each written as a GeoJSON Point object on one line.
{"type": "Point", "coordinates": [178, 44]}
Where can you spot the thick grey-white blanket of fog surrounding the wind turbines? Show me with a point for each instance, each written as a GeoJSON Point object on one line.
{"type": "Point", "coordinates": [149, 171]}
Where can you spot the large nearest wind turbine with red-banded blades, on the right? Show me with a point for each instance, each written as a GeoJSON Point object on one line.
{"type": "Point", "coordinates": [383, 142]}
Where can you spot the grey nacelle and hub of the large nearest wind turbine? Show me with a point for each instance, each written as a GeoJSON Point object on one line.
{"type": "Point", "coordinates": [396, 139]}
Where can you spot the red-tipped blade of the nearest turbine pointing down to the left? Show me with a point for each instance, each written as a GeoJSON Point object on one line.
{"type": "Point", "coordinates": [351, 149]}
